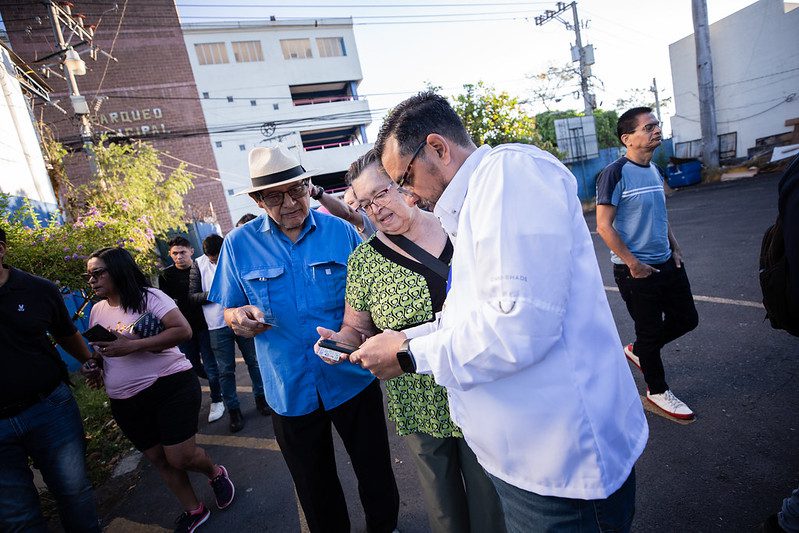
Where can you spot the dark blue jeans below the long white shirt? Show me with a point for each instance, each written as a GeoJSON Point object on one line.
{"type": "Point", "coordinates": [526, 511]}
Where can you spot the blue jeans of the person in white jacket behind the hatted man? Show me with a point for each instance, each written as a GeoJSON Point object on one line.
{"type": "Point", "coordinates": [222, 340]}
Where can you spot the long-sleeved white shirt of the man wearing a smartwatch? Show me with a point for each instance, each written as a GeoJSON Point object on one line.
{"type": "Point", "coordinates": [526, 344]}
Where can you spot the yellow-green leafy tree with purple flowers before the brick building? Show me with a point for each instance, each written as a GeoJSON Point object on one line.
{"type": "Point", "coordinates": [129, 206]}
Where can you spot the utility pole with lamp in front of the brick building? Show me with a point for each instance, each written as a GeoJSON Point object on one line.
{"type": "Point", "coordinates": [62, 14]}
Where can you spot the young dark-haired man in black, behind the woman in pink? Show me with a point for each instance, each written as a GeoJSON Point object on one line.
{"type": "Point", "coordinates": [174, 281]}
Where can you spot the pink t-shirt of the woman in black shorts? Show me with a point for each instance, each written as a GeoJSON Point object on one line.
{"type": "Point", "coordinates": [128, 375]}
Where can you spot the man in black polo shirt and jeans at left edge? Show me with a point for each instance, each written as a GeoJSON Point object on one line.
{"type": "Point", "coordinates": [39, 418]}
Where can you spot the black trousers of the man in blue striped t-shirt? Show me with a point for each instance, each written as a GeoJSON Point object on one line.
{"type": "Point", "coordinates": [662, 307]}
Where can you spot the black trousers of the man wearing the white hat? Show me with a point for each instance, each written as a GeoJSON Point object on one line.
{"type": "Point", "coordinates": [307, 446]}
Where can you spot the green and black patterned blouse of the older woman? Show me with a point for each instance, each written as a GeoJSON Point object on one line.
{"type": "Point", "coordinates": [399, 293]}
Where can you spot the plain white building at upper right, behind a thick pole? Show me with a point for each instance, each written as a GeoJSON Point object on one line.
{"type": "Point", "coordinates": [755, 55]}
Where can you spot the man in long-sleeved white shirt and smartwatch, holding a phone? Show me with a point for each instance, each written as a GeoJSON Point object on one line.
{"type": "Point", "coordinates": [526, 344]}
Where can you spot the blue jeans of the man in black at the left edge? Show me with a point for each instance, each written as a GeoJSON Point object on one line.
{"type": "Point", "coordinates": [51, 433]}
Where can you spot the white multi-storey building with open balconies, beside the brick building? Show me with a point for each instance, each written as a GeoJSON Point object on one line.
{"type": "Point", "coordinates": [292, 83]}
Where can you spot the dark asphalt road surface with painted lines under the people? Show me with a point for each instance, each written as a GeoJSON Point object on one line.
{"type": "Point", "coordinates": [726, 471]}
